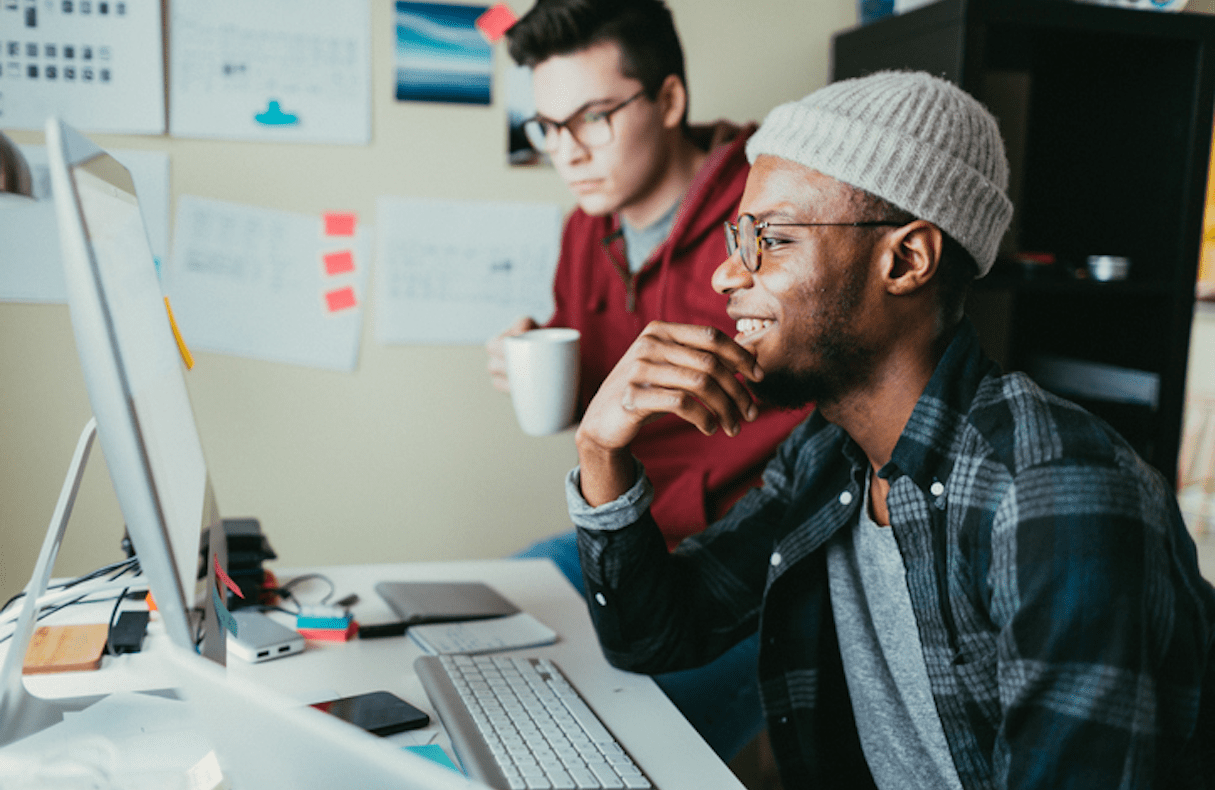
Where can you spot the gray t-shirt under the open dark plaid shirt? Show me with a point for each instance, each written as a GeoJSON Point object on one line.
{"type": "Point", "coordinates": [884, 664]}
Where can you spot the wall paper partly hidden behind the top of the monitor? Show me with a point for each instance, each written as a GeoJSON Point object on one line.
{"type": "Point", "coordinates": [31, 266]}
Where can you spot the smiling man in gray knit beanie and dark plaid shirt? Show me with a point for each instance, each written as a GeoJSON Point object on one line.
{"type": "Point", "coordinates": [958, 579]}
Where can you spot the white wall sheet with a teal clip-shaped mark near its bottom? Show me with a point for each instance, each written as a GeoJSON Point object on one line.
{"type": "Point", "coordinates": [287, 71]}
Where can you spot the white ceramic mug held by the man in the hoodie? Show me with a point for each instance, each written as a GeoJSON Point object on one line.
{"type": "Point", "coordinates": [542, 368]}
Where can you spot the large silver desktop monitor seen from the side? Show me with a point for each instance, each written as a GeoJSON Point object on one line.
{"type": "Point", "coordinates": [133, 371]}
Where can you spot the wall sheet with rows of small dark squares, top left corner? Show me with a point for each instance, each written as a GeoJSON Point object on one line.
{"type": "Point", "coordinates": [98, 65]}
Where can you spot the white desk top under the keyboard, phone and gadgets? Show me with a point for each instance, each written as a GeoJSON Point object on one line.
{"type": "Point", "coordinates": [631, 706]}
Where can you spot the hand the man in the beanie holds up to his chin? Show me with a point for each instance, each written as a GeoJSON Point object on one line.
{"type": "Point", "coordinates": [674, 369]}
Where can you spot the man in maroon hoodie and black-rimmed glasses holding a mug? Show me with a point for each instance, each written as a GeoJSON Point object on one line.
{"type": "Point", "coordinates": [652, 193]}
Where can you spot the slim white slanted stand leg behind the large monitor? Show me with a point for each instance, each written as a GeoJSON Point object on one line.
{"type": "Point", "coordinates": [21, 713]}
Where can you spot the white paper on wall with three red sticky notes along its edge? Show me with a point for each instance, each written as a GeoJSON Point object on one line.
{"type": "Point", "coordinates": [263, 284]}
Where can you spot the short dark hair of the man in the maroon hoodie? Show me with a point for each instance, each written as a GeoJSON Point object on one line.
{"type": "Point", "coordinates": [645, 31]}
